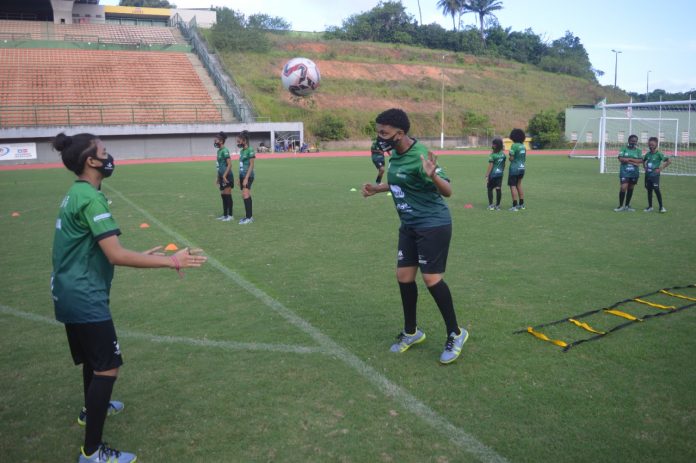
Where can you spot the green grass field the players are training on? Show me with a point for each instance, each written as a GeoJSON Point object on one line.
{"type": "Point", "coordinates": [277, 350]}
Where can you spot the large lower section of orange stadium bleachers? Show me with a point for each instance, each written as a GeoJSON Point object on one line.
{"type": "Point", "coordinates": [70, 86]}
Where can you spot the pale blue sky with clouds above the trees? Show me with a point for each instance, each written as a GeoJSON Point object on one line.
{"type": "Point", "coordinates": [657, 39]}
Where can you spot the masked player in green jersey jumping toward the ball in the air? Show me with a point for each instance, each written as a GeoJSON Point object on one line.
{"type": "Point", "coordinates": [417, 185]}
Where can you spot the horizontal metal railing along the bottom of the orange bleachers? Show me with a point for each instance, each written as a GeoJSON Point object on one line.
{"type": "Point", "coordinates": [118, 114]}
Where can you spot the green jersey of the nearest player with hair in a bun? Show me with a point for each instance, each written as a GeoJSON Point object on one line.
{"type": "Point", "coordinates": [81, 278]}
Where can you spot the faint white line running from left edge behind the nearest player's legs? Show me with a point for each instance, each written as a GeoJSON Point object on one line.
{"type": "Point", "coordinates": [225, 345]}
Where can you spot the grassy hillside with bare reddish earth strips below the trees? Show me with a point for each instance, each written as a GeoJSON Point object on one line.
{"type": "Point", "coordinates": [360, 79]}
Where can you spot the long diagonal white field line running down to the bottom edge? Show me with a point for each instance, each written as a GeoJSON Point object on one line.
{"type": "Point", "coordinates": [458, 436]}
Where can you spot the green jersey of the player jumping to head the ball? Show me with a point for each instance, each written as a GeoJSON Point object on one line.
{"type": "Point", "coordinates": [415, 195]}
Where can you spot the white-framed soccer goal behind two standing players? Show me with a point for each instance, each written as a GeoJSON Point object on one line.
{"type": "Point", "coordinates": [671, 122]}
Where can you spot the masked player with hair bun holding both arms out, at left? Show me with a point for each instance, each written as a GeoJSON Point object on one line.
{"type": "Point", "coordinates": [85, 250]}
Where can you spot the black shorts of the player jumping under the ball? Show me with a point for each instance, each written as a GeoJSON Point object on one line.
{"type": "Point", "coordinates": [426, 248]}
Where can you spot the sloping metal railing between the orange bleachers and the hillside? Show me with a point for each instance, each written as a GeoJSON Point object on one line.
{"type": "Point", "coordinates": [241, 107]}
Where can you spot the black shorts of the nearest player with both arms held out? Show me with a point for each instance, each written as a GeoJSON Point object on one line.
{"type": "Point", "coordinates": [94, 344]}
